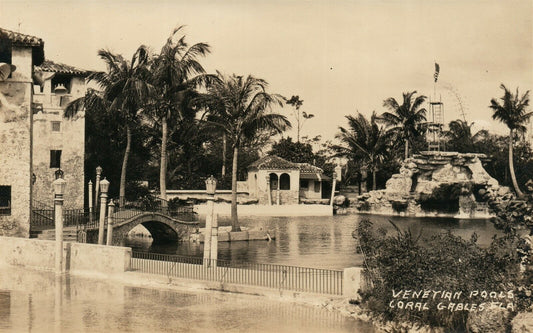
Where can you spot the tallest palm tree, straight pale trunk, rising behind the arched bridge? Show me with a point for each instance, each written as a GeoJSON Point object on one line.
{"type": "Point", "coordinates": [173, 73]}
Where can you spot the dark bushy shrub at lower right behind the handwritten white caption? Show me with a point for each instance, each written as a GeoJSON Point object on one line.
{"type": "Point", "coordinates": [442, 262]}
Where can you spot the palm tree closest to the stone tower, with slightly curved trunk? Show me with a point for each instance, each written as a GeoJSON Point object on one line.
{"type": "Point", "coordinates": [124, 89]}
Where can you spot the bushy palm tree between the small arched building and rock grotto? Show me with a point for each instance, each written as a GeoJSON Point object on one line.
{"type": "Point", "coordinates": [365, 141]}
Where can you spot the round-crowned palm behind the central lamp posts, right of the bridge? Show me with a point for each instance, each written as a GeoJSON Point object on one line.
{"type": "Point", "coordinates": [241, 108]}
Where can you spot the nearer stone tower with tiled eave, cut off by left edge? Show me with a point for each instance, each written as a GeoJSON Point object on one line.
{"type": "Point", "coordinates": [18, 54]}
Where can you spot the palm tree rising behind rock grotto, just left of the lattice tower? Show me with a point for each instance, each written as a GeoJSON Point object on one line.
{"type": "Point", "coordinates": [405, 118]}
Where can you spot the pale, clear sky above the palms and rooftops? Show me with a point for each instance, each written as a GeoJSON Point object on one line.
{"type": "Point", "coordinates": [340, 57]}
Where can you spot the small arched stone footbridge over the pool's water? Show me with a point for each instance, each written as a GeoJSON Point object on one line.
{"type": "Point", "coordinates": [163, 228]}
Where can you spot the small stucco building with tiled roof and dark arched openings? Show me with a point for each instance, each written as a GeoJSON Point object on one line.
{"type": "Point", "coordinates": [276, 181]}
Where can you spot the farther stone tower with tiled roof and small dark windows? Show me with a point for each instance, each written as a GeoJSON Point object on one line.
{"type": "Point", "coordinates": [59, 142]}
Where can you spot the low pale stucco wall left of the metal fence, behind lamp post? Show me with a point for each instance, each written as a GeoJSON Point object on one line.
{"type": "Point", "coordinates": [77, 257]}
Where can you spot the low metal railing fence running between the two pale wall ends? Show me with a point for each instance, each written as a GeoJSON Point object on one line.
{"type": "Point", "coordinates": [302, 279]}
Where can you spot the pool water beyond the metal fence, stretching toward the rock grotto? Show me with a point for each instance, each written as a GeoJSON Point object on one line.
{"type": "Point", "coordinates": [322, 242]}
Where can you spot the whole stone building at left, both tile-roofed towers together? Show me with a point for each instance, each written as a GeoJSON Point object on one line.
{"type": "Point", "coordinates": [35, 139]}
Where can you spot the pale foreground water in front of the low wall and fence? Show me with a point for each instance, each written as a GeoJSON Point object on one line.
{"type": "Point", "coordinates": [78, 304]}
